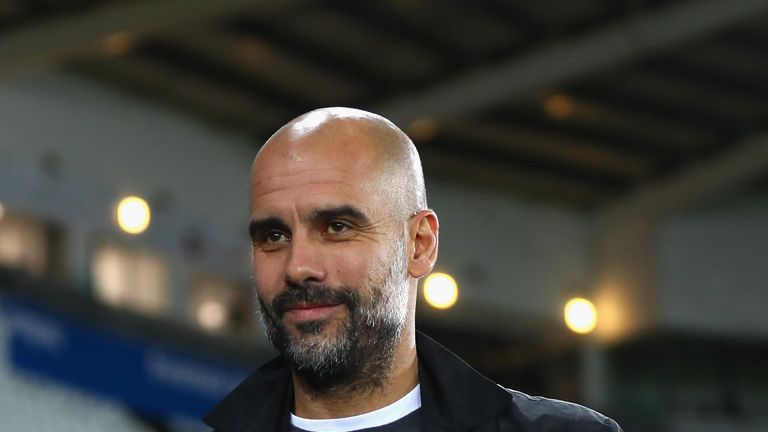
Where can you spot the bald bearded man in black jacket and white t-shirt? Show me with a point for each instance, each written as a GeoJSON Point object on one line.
{"type": "Point", "coordinates": [341, 234]}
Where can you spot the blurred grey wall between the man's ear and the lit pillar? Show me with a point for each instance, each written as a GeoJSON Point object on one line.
{"type": "Point", "coordinates": [510, 257]}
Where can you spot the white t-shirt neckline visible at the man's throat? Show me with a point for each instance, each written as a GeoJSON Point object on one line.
{"type": "Point", "coordinates": [382, 416]}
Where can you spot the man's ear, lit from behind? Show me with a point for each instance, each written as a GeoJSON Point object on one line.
{"type": "Point", "coordinates": [422, 248]}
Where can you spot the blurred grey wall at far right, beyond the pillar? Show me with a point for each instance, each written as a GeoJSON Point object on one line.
{"type": "Point", "coordinates": [713, 268]}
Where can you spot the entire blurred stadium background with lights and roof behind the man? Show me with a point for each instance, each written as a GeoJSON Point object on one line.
{"type": "Point", "coordinates": [613, 151]}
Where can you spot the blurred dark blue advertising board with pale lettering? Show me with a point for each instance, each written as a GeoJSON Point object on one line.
{"type": "Point", "coordinates": [150, 378]}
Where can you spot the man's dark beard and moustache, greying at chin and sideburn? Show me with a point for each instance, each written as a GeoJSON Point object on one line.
{"type": "Point", "coordinates": [358, 356]}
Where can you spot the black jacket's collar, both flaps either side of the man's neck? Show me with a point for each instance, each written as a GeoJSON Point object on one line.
{"type": "Point", "coordinates": [453, 395]}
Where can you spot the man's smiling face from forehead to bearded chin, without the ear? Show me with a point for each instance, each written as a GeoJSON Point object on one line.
{"type": "Point", "coordinates": [329, 257]}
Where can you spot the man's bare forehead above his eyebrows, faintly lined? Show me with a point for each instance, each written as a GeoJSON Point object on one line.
{"type": "Point", "coordinates": [308, 170]}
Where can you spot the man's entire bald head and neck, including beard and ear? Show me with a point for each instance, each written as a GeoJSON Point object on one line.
{"type": "Point", "coordinates": [363, 355]}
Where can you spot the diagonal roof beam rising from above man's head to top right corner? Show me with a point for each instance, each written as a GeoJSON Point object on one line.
{"type": "Point", "coordinates": [568, 59]}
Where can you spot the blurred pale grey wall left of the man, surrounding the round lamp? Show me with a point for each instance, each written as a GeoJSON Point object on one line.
{"type": "Point", "coordinates": [107, 144]}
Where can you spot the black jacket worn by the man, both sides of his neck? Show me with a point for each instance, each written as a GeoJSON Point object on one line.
{"type": "Point", "coordinates": [454, 397]}
